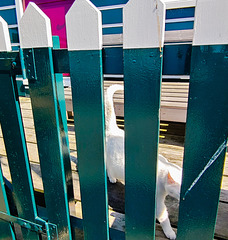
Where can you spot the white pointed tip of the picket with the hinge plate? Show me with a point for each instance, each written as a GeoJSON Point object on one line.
{"type": "Point", "coordinates": [35, 28]}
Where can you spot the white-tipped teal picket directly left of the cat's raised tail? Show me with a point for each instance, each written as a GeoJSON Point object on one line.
{"type": "Point", "coordinates": [84, 36]}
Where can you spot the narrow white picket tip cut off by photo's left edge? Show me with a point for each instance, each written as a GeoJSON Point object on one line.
{"type": "Point", "coordinates": [5, 44]}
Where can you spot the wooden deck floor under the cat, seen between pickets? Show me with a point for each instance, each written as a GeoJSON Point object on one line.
{"type": "Point", "coordinates": [173, 150]}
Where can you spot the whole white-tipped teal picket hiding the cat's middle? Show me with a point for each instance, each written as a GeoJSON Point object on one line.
{"type": "Point", "coordinates": [143, 39]}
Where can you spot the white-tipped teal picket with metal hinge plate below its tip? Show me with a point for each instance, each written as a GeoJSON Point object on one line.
{"type": "Point", "coordinates": [36, 44]}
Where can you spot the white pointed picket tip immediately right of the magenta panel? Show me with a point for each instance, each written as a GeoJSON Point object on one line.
{"type": "Point", "coordinates": [84, 26]}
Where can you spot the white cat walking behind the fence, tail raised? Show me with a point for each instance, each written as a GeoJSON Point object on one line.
{"type": "Point", "coordinates": [168, 174]}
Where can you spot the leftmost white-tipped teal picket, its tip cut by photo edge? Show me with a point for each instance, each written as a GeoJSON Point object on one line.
{"type": "Point", "coordinates": [13, 135]}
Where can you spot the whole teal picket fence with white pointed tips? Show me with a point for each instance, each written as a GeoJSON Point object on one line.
{"type": "Point", "coordinates": [43, 65]}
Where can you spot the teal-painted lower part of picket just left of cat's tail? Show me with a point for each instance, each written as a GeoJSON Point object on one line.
{"type": "Point", "coordinates": [87, 95]}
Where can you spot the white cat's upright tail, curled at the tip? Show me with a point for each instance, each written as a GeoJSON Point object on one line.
{"type": "Point", "coordinates": [110, 116]}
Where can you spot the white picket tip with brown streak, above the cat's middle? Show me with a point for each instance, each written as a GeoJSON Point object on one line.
{"type": "Point", "coordinates": [143, 24]}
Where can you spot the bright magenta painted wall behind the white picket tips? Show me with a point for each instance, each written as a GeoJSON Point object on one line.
{"type": "Point", "coordinates": [56, 11]}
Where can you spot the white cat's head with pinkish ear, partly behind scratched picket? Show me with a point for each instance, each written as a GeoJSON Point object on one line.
{"type": "Point", "coordinates": [173, 183]}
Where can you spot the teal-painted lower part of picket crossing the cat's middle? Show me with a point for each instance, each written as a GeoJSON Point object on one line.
{"type": "Point", "coordinates": [142, 82]}
